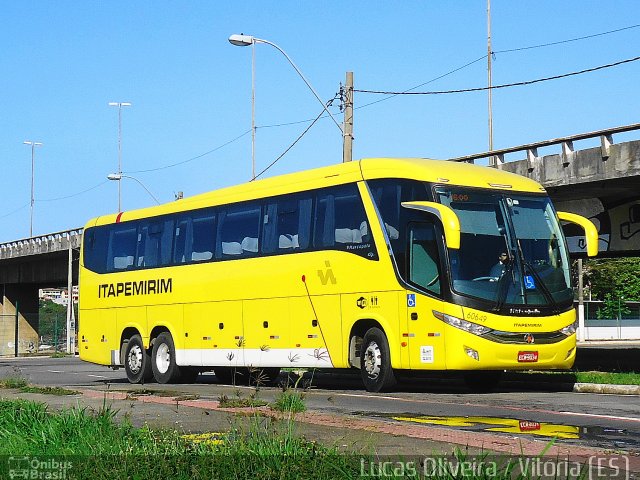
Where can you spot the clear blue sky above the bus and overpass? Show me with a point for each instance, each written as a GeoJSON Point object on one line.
{"type": "Point", "coordinates": [188, 129]}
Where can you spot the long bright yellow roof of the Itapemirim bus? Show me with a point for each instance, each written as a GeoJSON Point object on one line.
{"type": "Point", "coordinates": [435, 171]}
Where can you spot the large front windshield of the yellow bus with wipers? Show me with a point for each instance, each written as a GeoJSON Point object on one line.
{"type": "Point", "coordinates": [512, 250]}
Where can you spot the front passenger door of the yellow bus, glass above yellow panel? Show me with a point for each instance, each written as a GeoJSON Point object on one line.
{"type": "Point", "coordinates": [424, 333]}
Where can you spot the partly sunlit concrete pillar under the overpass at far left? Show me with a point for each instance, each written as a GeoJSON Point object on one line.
{"type": "Point", "coordinates": [26, 297]}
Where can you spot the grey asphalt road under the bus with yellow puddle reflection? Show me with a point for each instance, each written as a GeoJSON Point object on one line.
{"type": "Point", "coordinates": [596, 420]}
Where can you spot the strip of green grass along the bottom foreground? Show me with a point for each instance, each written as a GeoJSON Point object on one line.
{"type": "Point", "coordinates": [93, 444]}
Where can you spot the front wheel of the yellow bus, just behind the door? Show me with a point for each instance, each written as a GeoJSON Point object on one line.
{"type": "Point", "coordinates": [375, 362]}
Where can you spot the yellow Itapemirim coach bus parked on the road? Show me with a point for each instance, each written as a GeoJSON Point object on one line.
{"type": "Point", "coordinates": [381, 265]}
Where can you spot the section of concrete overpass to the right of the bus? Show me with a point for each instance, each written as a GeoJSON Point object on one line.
{"type": "Point", "coordinates": [600, 183]}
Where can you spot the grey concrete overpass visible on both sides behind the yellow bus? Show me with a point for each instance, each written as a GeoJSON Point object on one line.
{"type": "Point", "coordinates": [601, 183]}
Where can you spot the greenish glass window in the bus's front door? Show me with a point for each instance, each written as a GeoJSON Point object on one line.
{"type": "Point", "coordinates": [423, 257]}
